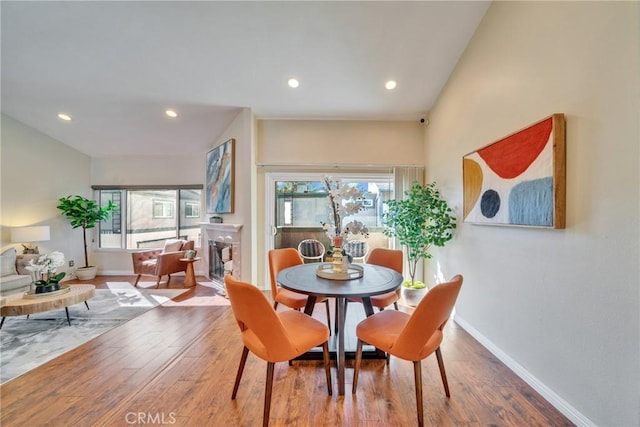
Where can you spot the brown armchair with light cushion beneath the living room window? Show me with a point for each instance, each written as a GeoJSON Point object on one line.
{"type": "Point", "coordinates": [160, 262]}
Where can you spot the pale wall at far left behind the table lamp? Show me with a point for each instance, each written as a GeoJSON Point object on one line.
{"type": "Point", "coordinates": [37, 170]}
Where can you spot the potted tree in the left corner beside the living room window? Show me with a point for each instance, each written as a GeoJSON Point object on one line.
{"type": "Point", "coordinates": [85, 213]}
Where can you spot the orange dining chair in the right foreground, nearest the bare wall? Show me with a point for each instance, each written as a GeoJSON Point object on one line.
{"type": "Point", "coordinates": [411, 336]}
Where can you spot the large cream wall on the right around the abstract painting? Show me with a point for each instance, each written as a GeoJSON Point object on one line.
{"type": "Point", "coordinates": [561, 306]}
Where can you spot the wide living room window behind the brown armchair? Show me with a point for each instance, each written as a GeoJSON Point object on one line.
{"type": "Point", "coordinates": [147, 217]}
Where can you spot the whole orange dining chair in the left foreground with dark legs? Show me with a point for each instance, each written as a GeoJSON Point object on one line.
{"type": "Point", "coordinates": [274, 337]}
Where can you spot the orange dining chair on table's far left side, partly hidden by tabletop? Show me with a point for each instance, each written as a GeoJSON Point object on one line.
{"type": "Point", "coordinates": [279, 259]}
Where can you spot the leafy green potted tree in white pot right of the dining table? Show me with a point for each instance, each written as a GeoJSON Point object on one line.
{"type": "Point", "coordinates": [422, 219]}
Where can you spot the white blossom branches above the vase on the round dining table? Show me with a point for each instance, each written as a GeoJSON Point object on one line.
{"type": "Point", "coordinates": [344, 200]}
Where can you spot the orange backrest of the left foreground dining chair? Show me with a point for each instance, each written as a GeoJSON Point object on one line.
{"type": "Point", "coordinates": [262, 331]}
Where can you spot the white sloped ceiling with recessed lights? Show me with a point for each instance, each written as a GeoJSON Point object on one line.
{"type": "Point", "coordinates": [116, 66]}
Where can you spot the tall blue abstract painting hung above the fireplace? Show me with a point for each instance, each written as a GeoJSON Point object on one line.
{"type": "Point", "coordinates": [220, 176]}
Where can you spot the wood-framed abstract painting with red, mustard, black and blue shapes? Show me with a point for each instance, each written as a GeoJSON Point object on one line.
{"type": "Point", "coordinates": [518, 180]}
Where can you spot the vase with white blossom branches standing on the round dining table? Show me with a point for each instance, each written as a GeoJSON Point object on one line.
{"type": "Point", "coordinates": [344, 200]}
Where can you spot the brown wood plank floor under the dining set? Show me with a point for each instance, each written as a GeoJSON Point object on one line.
{"type": "Point", "coordinates": [176, 365]}
